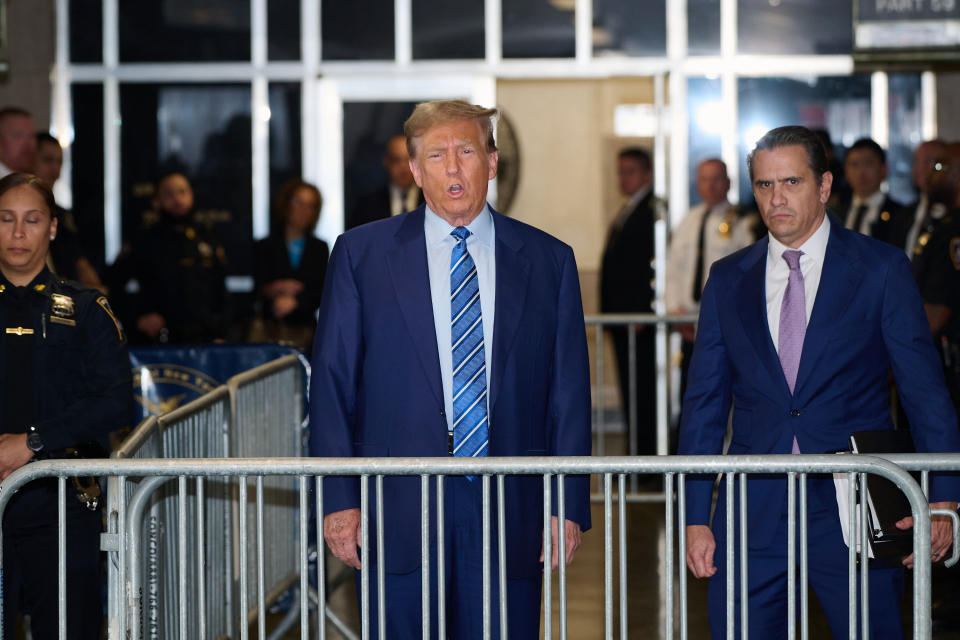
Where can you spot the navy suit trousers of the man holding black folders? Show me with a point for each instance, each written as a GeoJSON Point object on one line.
{"type": "Point", "coordinates": [827, 574]}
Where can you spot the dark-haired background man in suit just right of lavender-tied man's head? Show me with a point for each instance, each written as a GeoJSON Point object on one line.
{"type": "Point", "coordinates": [871, 211]}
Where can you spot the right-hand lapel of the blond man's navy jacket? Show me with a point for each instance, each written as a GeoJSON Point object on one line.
{"type": "Point", "coordinates": [513, 274]}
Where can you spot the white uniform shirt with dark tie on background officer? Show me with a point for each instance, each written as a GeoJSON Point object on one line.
{"type": "Point", "coordinates": [723, 233]}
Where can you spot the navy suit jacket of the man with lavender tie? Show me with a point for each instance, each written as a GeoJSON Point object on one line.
{"type": "Point", "coordinates": [867, 317]}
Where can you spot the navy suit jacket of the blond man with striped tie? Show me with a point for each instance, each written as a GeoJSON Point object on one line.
{"type": "Point", "coordinates": [376, 388]}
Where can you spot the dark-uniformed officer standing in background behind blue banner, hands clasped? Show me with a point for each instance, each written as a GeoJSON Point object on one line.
{"type": "Point", "coordinates": [180, 268]}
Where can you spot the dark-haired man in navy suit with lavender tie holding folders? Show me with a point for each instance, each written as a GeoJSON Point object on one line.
{"type": "Point", "coordinates": [798, 332]}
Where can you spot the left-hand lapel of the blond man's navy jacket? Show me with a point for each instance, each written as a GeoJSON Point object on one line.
{"type": "Point", "coordinates": [407, 265]}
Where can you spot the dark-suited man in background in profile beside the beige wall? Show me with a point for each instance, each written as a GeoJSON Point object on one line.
{"type": "Point", "coordinates": [626, 286]}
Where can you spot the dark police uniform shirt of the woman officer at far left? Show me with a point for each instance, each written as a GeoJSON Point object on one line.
{"type": "Point", "coordinates": [80, 387]}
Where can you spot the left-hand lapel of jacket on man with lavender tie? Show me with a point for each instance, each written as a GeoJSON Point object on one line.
{"type": "Point", "coordinates": [751, 304]}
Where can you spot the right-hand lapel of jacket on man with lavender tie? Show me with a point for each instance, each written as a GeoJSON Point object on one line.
{"type": "Point", "coordinates": [839, 282]}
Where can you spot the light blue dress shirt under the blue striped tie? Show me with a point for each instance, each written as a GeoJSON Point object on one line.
{"type": "Point", "coordinates": [480, 244]}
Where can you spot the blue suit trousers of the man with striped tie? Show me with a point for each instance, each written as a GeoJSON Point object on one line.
{"type": "Point", "coordinates": [463, 572]}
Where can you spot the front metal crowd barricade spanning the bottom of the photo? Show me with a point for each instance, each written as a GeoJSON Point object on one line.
{"type": "Point", "coordinates": [128, 532]}
